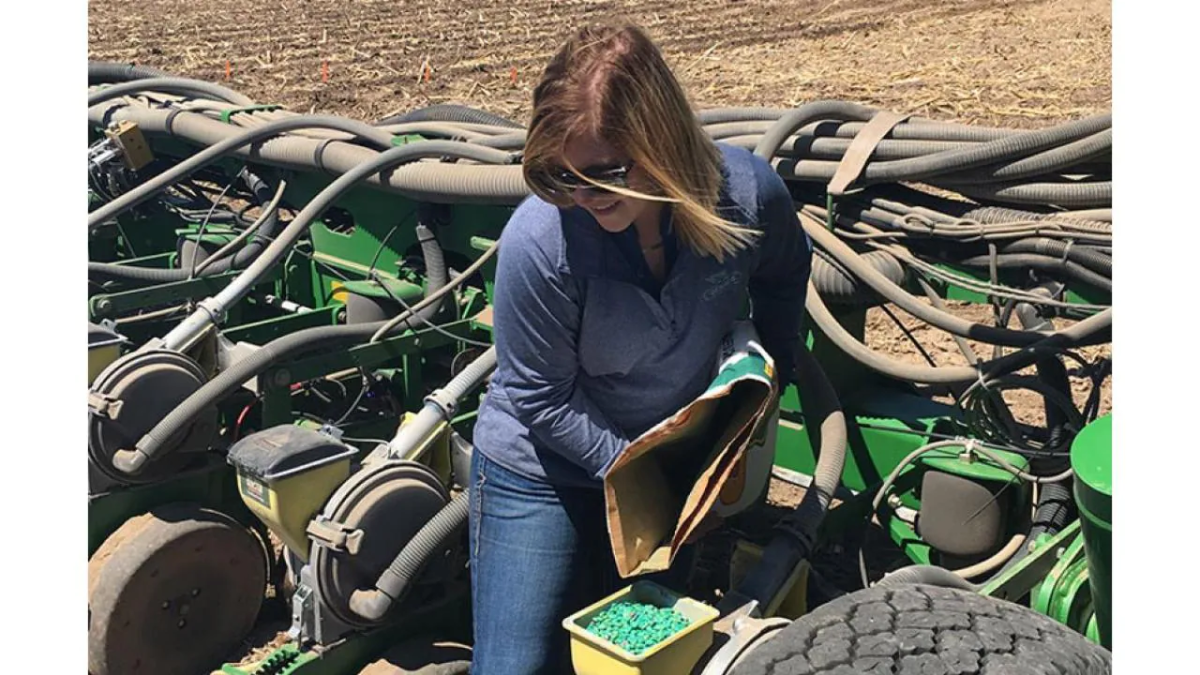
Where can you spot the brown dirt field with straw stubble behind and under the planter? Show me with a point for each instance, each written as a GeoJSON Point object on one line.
{"type": "Point", "coordinates": [1009, 63]}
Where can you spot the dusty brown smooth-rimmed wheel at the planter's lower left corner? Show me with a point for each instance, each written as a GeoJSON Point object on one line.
{"type": "Point", "coordinates": [173, 592]}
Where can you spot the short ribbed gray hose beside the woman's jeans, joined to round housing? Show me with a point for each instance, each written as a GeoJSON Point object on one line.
{"type": "Point", "coordinates": [431, 540]}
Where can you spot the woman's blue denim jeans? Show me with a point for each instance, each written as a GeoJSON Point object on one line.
{"type": "Point", "coordinates": [539, 553]}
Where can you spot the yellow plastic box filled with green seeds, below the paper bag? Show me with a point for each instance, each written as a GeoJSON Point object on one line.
{"type": "Point", "coordinates": [592, 655]}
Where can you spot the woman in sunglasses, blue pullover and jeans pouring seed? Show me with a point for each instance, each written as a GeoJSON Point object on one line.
{"type": "Point", "coordinates": [616, 283]}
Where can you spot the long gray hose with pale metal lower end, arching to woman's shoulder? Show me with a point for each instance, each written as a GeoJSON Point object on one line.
{"type": "Point", "coordinates": [212, 310]}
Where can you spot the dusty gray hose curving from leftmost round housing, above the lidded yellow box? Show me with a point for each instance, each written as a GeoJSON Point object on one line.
{"type": "Point", "coordinates": [275, 351]}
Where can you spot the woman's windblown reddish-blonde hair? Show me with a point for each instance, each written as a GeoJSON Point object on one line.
{"type": "Point", "coordinates": [614, 82]}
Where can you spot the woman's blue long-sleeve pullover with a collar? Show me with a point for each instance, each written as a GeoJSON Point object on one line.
{"type": "Point", "coordinates": [592, 353]}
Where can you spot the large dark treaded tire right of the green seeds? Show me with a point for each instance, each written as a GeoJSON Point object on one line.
{"type": "Point", "coordinates": [917, 630]}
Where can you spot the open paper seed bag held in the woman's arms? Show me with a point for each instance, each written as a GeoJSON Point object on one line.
{"type": "Point", "coordinates": [661, 488]}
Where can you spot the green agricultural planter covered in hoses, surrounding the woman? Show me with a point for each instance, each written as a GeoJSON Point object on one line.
{"type": "Point", "coordinates": [290, 334]}
